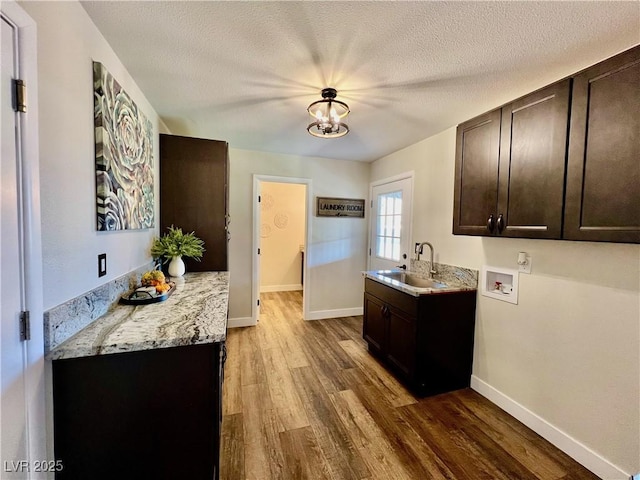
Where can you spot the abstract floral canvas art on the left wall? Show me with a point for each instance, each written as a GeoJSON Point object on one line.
{"type": "Point", "coordinates": [124, 157]}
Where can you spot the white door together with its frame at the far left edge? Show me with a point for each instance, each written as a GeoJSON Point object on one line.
{"type": "Point", "coordinates": [22, 408]}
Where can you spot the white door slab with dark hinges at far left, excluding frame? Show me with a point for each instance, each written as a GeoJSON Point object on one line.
{"type": "Point", "coordinates": [13, 418]}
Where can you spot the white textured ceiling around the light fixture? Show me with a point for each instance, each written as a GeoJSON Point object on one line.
{"type": "Point", "coordinates": [245, 72]}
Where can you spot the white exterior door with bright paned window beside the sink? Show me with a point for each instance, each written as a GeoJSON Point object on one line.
{"type": "Point", "coordinates": [391, 224]}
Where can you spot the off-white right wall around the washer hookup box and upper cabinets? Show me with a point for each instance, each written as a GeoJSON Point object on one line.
{"type": "Point", "coordinates": [569, 351]}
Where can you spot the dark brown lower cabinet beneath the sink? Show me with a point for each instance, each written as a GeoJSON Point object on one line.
{"type": "Point", "coordinates": [426, 341]}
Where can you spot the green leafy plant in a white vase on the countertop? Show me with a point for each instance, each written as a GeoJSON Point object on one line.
{"type": "Point", "coordinates": [173, 246]}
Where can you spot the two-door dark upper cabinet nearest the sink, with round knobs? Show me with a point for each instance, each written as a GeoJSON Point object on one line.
{"type": "Point", "coordinates": [510, 166]}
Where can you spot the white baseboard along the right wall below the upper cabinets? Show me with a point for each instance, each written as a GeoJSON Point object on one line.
{"type": "Point", "coordinates": [569, 445]}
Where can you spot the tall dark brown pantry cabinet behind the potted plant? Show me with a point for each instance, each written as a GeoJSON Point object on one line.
{"type": "Point", "coordinates": [194, 193]}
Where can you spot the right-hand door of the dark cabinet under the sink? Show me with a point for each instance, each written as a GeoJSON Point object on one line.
{"type": "Point", "coordinates": [401, 341]}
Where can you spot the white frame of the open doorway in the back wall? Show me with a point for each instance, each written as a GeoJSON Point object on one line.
{"type": "Point", "coordinates": [255, 284]}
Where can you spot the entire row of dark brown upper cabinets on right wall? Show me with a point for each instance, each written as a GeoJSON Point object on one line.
{"type": "Point", "coordinates": [560, 163]}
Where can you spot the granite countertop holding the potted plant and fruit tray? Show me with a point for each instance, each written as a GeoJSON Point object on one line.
{"type": "Point", "coordinates": [195, 313]}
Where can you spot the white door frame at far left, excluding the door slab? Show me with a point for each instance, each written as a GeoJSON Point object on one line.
{"type": "Point", "coordinates": [39, 444]}
